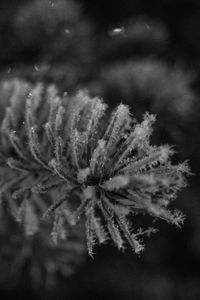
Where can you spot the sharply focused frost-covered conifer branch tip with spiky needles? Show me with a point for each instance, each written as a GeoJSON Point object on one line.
{"type": "Point", "coordinates": [88, 163]}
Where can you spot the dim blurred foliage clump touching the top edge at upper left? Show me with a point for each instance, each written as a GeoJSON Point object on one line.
{"type": "Point", "coordinates": [55, 30]}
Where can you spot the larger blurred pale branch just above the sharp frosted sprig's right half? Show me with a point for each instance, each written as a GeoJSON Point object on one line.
{"type": "Point", "coordinates": [150, 83]}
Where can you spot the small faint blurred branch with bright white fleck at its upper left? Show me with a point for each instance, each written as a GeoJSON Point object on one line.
{"type": "Point", "coordinates": [136, 37]}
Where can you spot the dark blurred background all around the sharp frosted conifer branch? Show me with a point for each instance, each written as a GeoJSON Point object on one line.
{"type": "Point", "coordinates": [139, 52]}
